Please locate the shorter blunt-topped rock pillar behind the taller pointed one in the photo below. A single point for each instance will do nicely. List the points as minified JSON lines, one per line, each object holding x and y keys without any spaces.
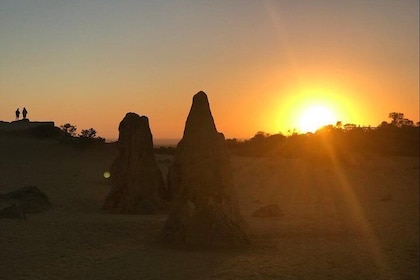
{"x":135,"y":177}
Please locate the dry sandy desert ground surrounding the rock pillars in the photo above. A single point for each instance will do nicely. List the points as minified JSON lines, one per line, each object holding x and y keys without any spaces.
{"x":353,"y":220}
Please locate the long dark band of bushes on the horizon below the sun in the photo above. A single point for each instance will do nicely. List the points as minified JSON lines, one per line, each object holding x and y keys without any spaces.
{"x":400,"y":137}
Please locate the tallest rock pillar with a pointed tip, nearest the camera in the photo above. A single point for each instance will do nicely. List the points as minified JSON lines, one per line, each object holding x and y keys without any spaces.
{"x":205,"y":212}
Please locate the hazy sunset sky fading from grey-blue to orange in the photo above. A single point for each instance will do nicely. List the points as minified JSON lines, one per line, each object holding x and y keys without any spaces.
{"x":89,"y":62}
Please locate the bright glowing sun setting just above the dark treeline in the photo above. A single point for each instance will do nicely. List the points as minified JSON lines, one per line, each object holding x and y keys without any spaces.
{"x":315,"y":117}
